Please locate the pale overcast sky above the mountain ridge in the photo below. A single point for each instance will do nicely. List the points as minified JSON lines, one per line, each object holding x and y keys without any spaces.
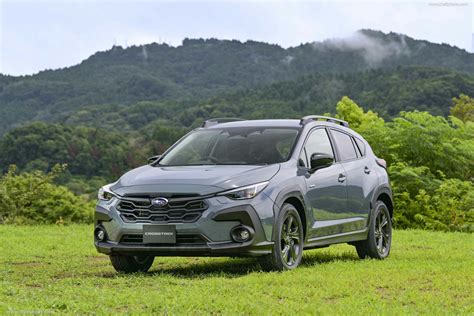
{"x":43,"y":34}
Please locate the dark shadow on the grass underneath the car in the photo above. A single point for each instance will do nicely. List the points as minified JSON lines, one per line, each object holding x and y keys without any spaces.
{"x":236,"y":267}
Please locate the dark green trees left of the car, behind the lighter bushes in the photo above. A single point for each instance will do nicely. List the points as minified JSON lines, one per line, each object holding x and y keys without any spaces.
{"x":87,"y":151}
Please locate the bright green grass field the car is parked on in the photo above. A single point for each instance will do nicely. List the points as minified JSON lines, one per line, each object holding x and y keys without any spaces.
{"x":47,"y":269}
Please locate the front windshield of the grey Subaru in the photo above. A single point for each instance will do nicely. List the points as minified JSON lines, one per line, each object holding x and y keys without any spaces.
{"x":232,"y":146}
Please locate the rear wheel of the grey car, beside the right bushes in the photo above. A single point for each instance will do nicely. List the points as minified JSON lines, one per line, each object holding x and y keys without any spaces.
{"x":379,"y":239}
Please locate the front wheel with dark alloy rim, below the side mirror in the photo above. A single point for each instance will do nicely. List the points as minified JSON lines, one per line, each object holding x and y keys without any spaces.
{"x":288,"y":248}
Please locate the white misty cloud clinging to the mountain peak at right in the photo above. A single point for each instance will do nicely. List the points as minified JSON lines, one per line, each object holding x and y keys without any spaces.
{"x":373,"y":49}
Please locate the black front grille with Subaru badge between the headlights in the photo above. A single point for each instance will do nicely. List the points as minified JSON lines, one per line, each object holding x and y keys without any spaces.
{"x":179,"y":210}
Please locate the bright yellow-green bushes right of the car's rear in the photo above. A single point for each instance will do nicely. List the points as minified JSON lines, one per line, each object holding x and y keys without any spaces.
{"x":431,"y":165}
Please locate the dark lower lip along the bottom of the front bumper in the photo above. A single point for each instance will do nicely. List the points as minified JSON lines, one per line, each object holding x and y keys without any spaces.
{"x":207,"y":250}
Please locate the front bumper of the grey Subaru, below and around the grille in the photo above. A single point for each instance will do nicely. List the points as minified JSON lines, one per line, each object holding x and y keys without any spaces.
{"x":213,"y":229}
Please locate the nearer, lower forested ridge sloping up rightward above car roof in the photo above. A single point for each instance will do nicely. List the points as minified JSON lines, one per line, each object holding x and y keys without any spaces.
{"x":386,"y":91}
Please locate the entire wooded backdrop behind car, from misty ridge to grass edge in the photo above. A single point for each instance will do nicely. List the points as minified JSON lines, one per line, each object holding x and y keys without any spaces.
{"x":65,"y":133}
